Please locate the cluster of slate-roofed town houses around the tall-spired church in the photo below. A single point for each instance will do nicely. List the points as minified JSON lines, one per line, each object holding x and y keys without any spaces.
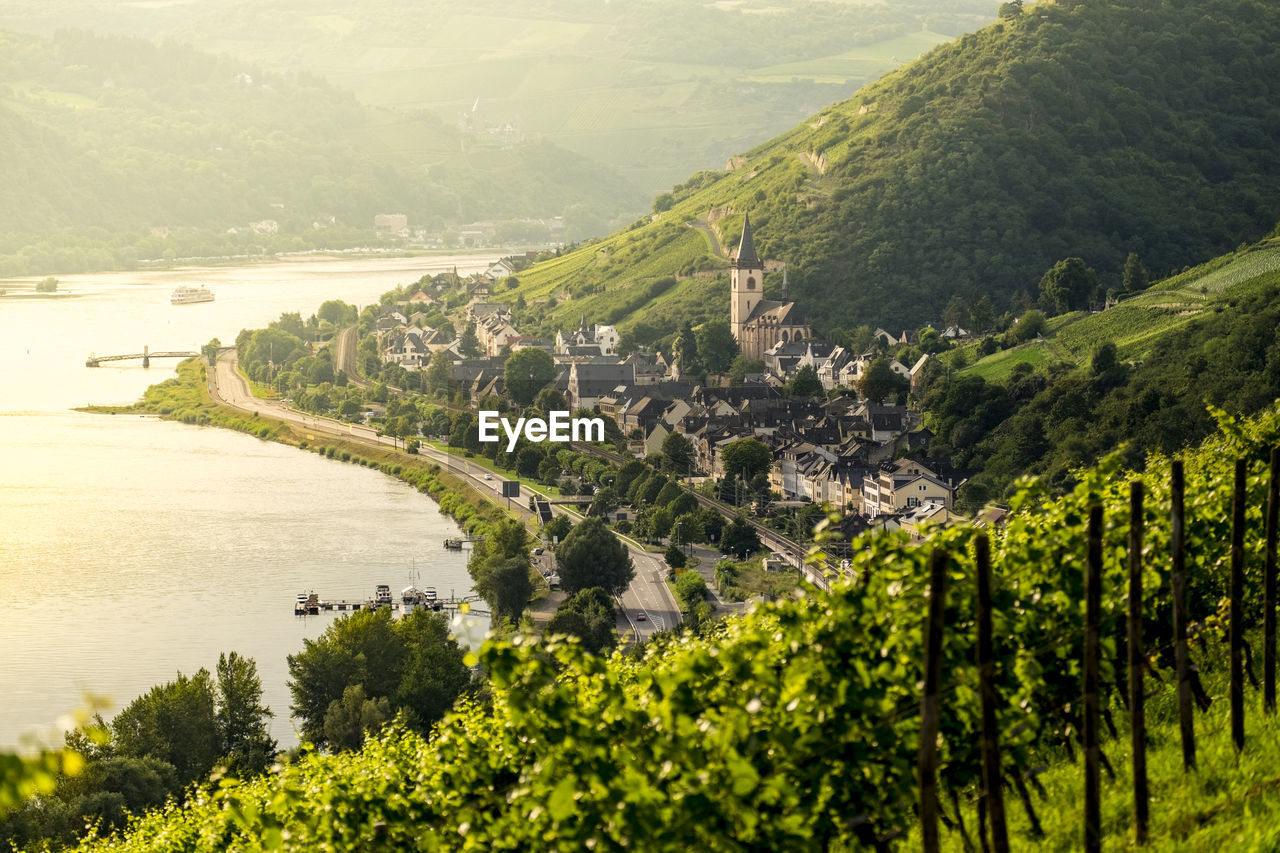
{"x":839,"y":425}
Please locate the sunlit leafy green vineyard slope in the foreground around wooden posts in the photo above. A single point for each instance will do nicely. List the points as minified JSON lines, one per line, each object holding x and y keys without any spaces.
{"x":797,"y":727}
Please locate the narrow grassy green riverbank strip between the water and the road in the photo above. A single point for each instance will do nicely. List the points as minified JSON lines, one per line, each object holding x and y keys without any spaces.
{"x":186,"y":399}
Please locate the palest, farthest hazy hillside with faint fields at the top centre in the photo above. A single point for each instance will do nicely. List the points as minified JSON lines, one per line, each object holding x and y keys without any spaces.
{"x":652,"y":89}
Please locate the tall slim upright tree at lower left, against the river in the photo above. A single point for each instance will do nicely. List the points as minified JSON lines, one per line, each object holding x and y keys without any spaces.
{"x":243,"y":719}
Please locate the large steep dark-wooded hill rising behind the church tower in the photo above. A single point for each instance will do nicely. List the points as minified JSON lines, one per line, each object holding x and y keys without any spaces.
{"x":1084,"y":129}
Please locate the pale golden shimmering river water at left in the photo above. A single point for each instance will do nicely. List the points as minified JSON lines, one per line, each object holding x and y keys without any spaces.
{"x":132,"y":549}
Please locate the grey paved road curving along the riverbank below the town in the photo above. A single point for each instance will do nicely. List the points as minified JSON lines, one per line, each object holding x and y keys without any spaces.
{"x":648,"y":604}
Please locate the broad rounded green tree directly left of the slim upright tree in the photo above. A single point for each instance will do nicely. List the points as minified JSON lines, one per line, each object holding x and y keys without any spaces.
{"x":176,"y":723}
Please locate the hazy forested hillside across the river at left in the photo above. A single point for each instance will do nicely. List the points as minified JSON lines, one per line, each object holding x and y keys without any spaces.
{"x":108,"y":139}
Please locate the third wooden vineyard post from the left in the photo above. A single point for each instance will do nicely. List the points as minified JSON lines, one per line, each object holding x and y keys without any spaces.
{"x":1092,"y":659}
